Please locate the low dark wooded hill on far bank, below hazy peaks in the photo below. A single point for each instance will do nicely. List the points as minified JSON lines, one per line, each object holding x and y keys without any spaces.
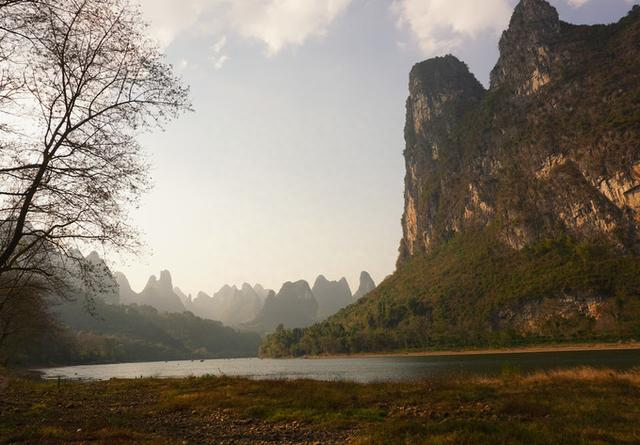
{"x":114,"y":333}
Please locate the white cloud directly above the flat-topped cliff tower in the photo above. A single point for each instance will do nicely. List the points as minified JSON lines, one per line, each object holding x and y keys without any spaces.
{"x":442,"y":25}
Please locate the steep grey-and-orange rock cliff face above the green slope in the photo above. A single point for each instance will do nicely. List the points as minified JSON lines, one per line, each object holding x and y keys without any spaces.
{"x":551,"y":148}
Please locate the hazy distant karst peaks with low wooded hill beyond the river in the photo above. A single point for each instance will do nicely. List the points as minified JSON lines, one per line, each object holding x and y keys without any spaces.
{"x":105,"y":320}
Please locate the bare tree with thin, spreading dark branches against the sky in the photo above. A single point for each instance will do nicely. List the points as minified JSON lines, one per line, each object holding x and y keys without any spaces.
{"x":70,"y":166}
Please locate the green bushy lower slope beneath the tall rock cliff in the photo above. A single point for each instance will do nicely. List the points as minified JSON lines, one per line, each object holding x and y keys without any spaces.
{"x":473,"y":291}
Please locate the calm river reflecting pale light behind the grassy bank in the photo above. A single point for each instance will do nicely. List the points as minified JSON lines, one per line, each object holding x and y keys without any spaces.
{"x":355,"y":369}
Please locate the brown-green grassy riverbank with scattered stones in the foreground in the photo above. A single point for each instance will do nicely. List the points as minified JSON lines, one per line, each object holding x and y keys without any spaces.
{"x":580,"y":406}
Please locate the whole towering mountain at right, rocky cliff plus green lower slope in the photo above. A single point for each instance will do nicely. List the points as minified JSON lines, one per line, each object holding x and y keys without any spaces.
{"x":522,"y":202}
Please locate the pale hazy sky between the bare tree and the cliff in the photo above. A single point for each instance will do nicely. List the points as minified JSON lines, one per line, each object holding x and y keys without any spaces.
{"x":291,"y":164}
